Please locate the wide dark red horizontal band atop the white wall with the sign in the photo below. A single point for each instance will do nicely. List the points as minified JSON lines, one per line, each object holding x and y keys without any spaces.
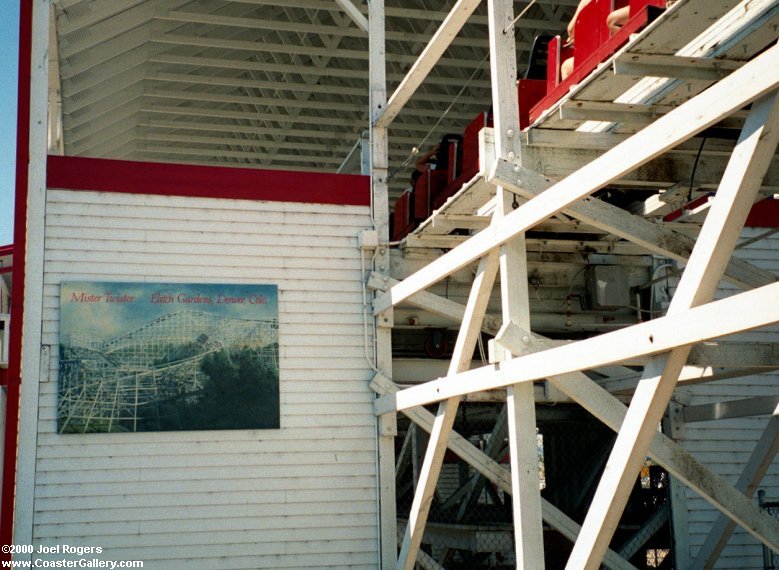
{"x":77,"y":173}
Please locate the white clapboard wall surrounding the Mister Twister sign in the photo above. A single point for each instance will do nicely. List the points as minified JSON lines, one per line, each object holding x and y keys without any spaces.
{"x":303,"y":496}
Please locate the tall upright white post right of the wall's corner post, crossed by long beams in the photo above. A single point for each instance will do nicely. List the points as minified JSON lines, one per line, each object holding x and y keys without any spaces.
{"x":515,"y":301}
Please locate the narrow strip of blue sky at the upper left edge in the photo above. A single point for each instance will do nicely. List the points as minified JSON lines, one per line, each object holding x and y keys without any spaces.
{"x":9,"y":34}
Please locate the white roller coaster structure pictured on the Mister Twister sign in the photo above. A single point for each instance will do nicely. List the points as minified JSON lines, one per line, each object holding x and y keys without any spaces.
{"x":104,"y":385}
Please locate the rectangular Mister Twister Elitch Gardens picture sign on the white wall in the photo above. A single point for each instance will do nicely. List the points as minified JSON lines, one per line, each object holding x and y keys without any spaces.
{"x":138,"y":357}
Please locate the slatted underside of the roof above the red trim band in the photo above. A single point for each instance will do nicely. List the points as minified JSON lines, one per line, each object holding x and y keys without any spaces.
{"x":262,"y":83}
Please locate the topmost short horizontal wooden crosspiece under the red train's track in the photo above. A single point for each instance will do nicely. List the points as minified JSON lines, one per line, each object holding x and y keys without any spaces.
{"x":674,"y":66}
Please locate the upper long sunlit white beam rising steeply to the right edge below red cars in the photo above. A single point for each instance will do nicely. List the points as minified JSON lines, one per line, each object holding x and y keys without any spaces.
{"x":759,"y":76}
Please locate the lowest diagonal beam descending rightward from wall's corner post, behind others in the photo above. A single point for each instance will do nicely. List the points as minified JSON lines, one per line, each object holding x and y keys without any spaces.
{"x":494,"y":472}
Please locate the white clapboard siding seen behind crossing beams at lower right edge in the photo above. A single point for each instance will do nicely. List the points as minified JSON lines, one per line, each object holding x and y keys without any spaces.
{"x":725,"y":445}
